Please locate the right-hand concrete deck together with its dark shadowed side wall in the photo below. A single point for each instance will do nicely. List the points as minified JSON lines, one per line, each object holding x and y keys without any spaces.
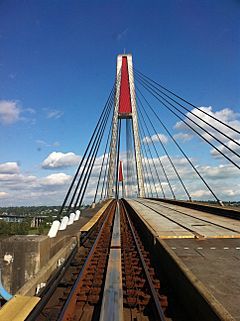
{"x":207,"y":266}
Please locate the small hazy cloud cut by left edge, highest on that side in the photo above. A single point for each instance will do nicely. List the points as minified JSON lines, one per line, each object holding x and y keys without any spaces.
{"x":9,"y":112}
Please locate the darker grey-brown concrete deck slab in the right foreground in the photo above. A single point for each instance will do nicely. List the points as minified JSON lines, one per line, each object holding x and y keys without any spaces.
{"x":216,"y":263}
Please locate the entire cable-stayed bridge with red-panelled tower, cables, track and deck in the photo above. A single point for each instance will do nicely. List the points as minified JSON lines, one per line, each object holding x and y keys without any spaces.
{"x":151,"y":250}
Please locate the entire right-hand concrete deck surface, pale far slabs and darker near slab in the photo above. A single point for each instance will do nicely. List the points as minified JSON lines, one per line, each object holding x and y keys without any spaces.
{"x":207,"y":245}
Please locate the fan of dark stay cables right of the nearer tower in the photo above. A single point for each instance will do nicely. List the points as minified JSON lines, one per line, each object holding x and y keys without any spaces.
{"x":209,"y":132}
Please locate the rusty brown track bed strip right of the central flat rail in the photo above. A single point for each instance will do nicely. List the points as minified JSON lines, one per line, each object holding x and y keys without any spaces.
{"x":142,"y":288}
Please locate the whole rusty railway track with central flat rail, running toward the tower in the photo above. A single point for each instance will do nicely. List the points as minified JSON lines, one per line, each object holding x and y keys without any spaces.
{"x":110,"y":277}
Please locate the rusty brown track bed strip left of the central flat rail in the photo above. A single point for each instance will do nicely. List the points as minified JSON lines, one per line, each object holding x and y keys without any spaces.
{"x":90,"y":281}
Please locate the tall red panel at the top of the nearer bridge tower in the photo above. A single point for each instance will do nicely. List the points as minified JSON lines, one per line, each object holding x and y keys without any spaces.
{"x":125,"y":100}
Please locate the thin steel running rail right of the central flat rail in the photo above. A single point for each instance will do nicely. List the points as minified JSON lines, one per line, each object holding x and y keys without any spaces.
{"x":159,"y":311}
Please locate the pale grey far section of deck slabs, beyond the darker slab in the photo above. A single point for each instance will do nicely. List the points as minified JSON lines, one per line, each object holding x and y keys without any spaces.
{"x":172,"y":221}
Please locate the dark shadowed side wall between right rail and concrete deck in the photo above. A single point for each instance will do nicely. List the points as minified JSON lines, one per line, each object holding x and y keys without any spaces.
{"x":197,"y":302}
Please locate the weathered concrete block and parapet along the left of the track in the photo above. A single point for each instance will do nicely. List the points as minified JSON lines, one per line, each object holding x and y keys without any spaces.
{"x":23,"y":257}
